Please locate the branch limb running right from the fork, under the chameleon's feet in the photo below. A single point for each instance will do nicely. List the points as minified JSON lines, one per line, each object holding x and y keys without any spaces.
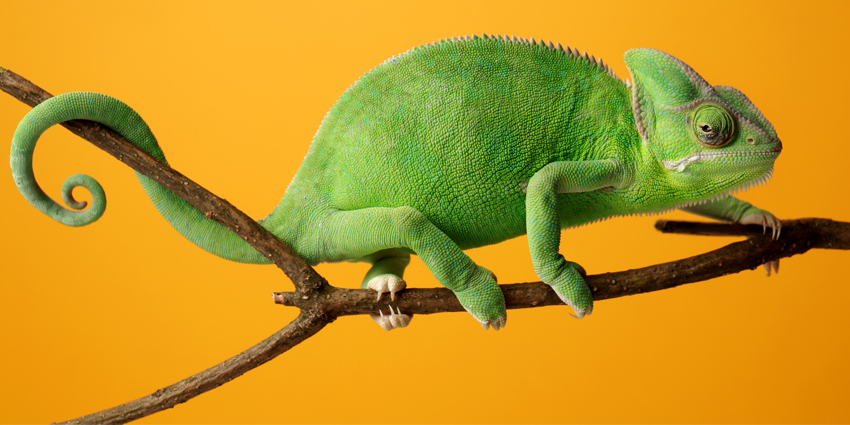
{"x":798,"y":236}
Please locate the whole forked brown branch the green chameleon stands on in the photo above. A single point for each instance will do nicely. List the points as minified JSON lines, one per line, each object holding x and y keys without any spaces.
{"x":321,"y":303}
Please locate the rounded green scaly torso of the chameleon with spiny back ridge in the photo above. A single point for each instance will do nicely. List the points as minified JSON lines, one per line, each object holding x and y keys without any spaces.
{"x":455,"y":130}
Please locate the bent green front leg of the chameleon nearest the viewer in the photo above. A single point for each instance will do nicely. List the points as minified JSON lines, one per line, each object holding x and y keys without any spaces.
{"x":543,"y":224}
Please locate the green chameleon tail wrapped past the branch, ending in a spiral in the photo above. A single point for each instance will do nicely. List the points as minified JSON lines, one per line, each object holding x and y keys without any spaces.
{"x":112,"y":113}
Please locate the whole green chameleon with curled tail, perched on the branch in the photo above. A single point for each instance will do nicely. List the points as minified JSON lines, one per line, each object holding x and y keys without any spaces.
{"x":469,"y":142}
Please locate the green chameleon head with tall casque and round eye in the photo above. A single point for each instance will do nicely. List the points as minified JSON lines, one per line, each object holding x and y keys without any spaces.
{"x":709,"y":139}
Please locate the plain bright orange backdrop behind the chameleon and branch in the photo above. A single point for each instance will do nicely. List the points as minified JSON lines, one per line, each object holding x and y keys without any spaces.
{"x":97,"y":316}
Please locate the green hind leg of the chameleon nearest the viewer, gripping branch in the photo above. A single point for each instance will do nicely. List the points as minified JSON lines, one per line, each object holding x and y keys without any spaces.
{"x":355,"y":234}
